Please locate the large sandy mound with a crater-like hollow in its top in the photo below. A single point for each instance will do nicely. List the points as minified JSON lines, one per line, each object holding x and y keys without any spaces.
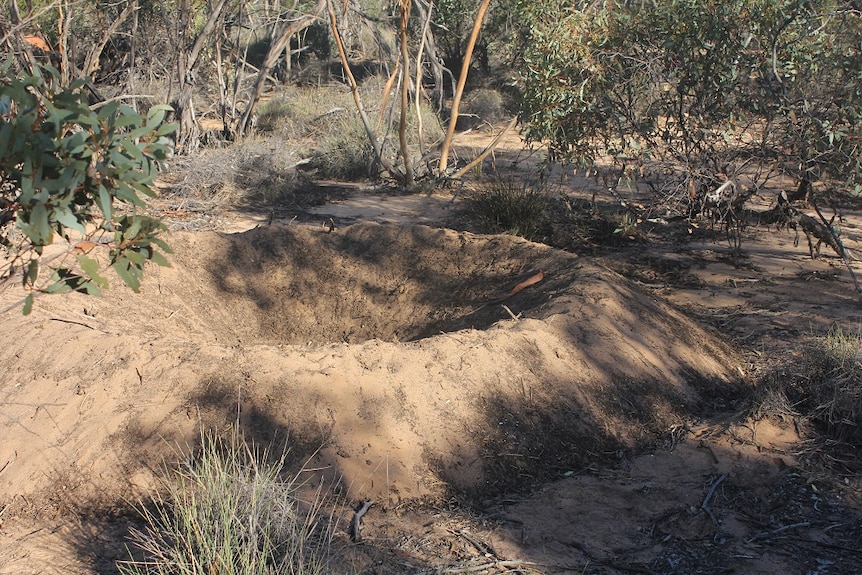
{"x":388,"y":347}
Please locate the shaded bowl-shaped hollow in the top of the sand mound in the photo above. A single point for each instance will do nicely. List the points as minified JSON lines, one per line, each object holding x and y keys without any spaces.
{"x":300,"y":285}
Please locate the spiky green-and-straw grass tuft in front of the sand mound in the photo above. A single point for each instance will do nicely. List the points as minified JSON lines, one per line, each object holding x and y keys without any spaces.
{"x":229,"y":510}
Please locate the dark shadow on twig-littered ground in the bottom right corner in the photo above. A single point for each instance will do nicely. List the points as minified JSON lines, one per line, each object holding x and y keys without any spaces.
{"x":706,"y":505}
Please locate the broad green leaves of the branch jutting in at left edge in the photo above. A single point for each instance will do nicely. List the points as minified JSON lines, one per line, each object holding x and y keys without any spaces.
{"x":81,"y":174}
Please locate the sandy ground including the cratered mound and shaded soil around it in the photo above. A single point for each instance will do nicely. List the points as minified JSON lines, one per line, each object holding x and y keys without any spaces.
{"x":592,"y":422}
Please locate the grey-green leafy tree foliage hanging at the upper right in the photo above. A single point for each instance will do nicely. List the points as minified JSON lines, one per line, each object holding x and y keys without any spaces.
{"x":691,"y":92}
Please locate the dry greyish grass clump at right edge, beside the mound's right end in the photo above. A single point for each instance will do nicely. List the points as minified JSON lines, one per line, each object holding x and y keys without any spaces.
{"x":823,"y":384}
